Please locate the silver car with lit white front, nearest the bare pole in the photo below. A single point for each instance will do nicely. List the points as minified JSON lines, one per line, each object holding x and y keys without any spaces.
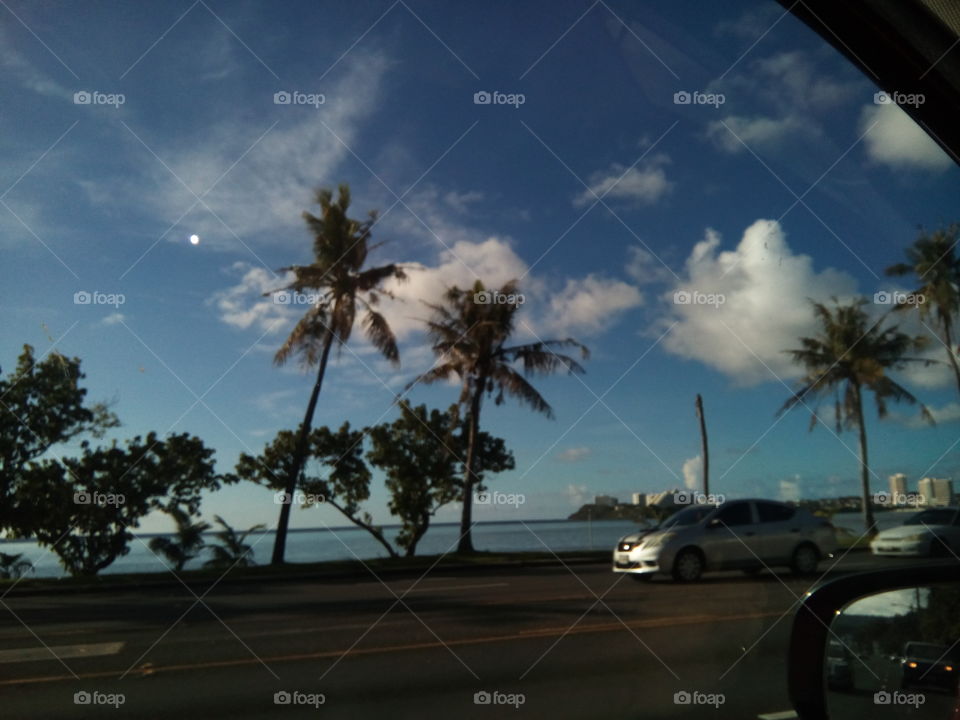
{"x":743,"y":535}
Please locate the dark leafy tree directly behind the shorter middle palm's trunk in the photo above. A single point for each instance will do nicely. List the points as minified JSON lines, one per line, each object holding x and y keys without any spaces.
{"x":423,"y":460}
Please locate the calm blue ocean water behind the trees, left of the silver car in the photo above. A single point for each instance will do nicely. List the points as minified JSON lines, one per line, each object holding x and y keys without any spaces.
{"x":350,"y":543}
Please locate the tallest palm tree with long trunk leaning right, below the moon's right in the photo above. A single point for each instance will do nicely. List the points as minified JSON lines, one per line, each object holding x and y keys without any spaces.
{"x":338,"y":277}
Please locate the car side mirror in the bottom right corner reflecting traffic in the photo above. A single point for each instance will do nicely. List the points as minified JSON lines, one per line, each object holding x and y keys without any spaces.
{"x":889,"y":637}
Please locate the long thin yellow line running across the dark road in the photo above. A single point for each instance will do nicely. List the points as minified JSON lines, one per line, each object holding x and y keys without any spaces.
{"x":299,"y":657}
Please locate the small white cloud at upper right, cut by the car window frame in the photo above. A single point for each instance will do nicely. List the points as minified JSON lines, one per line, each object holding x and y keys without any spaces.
{"x":897,"y":141}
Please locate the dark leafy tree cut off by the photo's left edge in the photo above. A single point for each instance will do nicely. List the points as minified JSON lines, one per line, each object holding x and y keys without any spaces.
{"x":42,"y":405}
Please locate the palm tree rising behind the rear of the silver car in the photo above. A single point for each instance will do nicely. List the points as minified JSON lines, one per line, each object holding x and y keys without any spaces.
{"x":850,"y":354}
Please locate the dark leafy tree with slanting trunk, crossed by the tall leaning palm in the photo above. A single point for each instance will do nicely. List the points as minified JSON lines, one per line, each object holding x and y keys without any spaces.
{"x":347,"y":481}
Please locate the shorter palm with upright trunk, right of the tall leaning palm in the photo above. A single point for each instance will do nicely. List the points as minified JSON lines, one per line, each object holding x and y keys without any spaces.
{"x":469,"y":332}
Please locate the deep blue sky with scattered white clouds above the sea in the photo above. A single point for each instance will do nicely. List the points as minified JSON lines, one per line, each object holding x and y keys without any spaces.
{"x":600,"y":192}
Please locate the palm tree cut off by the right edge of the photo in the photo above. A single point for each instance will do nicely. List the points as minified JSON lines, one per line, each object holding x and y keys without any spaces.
{"x":937,"y":267}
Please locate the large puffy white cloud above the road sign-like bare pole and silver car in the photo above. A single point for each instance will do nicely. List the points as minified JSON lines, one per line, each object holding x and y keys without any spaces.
{"x":765,"y":310}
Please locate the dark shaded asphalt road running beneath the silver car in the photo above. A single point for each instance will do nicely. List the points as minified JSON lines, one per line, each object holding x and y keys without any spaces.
{"x":557,"y":642}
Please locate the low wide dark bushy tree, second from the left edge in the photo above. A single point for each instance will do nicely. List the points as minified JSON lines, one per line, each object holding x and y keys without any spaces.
{"x":84,"y":508}
